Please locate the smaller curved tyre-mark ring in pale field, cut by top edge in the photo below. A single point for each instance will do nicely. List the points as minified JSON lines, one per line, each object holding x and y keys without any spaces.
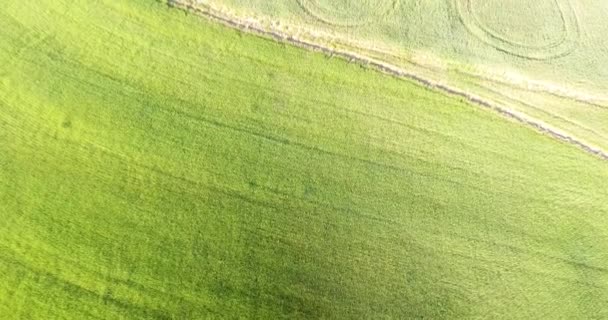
{"x":313,"y":9}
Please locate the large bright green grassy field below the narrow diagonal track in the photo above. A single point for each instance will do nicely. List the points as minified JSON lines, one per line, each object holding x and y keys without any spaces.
{"x":154,"y":165}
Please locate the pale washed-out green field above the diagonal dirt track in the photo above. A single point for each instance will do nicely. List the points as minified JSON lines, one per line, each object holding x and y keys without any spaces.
{"x":552,"y":52}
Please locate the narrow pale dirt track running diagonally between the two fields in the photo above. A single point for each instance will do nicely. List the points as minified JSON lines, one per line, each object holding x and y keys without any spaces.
{"x":393,"y":71}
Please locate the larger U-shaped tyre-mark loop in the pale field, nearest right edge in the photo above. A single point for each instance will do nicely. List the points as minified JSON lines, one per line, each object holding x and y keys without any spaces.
{"x":562,"y":46}
